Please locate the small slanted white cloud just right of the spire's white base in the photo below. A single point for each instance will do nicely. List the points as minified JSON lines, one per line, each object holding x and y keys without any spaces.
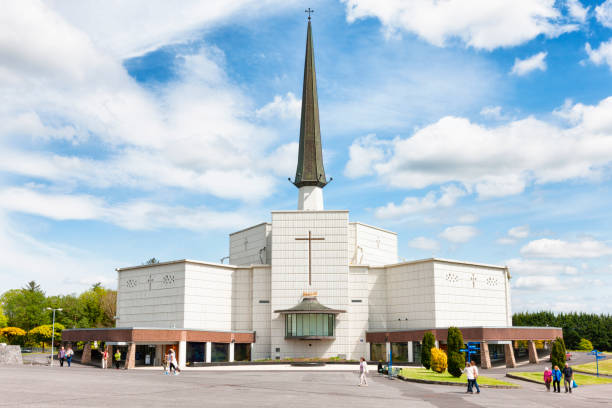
{"x":447,"y":197}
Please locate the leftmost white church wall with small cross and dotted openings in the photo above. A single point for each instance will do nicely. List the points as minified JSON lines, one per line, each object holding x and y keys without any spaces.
{"x":151,"y":296}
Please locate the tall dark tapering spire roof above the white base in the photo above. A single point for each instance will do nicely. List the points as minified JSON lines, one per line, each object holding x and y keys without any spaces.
{"x":310,"y":171}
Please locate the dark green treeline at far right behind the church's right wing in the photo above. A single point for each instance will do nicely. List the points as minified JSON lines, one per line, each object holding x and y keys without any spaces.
{"x":576,"y":326}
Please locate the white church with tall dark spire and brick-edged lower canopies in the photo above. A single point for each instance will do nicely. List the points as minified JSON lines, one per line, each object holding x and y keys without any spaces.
{"x":311,"y":282}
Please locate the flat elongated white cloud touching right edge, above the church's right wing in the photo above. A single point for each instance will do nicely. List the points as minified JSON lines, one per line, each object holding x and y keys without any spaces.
{"x":554,"y":248}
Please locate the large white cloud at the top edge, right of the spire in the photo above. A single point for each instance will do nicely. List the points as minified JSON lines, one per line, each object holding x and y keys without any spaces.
{"x":482,"y":24}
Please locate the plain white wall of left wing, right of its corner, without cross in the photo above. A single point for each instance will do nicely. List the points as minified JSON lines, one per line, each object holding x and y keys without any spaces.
{"x":208,"y":296}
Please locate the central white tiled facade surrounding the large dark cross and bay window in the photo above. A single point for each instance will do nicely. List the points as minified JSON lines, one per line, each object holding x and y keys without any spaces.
{"x":289,"y":276}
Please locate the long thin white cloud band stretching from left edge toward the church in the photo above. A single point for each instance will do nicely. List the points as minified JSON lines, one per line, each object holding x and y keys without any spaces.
{"x":136,"y":215}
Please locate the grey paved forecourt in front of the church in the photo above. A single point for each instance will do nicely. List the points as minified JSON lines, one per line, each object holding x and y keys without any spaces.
{"x":84,"y":386}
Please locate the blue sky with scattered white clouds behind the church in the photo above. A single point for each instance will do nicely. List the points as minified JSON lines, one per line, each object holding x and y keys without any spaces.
{"x":478,"y":130}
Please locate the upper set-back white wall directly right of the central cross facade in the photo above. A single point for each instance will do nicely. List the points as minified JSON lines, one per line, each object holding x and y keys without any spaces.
{"x":370,"y":245}
